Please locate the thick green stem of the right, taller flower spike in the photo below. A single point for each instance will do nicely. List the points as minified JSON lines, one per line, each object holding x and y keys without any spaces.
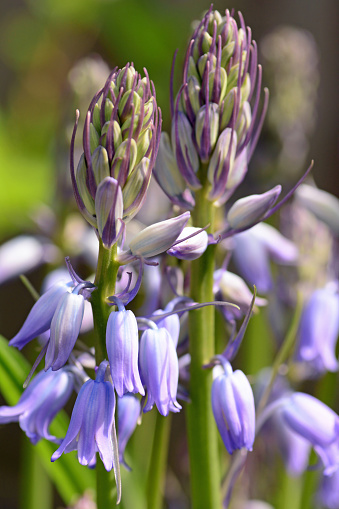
{"x":202,"y":431}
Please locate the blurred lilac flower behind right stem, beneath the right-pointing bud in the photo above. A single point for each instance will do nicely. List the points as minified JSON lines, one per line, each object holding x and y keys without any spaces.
{"x":253,"y":250}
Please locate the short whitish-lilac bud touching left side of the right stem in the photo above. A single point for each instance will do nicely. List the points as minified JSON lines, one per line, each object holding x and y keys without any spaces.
{"x":191,"y":244}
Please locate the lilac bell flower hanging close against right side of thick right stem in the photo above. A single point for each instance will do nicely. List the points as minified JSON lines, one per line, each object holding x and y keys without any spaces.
{"x":233,"y":409}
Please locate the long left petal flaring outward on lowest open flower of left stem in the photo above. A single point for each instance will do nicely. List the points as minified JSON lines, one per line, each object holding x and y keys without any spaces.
{"x":78,"y":414}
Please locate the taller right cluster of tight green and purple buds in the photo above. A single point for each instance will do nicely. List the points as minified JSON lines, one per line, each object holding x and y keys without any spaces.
{"x":215,"y":121}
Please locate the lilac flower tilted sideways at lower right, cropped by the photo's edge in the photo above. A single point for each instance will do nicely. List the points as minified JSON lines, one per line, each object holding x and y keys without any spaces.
{"x":315,"y":422}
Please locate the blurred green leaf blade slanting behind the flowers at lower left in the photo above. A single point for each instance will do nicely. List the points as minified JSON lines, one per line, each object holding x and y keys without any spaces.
{"x":70,"y":478}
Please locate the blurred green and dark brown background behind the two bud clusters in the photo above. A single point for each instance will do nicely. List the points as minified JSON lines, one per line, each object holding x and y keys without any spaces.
{"x":41,"y":41}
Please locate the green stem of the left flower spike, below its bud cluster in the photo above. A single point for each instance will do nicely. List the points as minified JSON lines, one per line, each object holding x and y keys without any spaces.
{"x":105,"y":280}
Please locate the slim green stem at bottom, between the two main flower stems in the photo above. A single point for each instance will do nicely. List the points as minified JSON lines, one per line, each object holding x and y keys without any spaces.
{"x":157,"y":469}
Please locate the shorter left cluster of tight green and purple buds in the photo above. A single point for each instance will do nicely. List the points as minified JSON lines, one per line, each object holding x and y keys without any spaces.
{"x":120,"y":143}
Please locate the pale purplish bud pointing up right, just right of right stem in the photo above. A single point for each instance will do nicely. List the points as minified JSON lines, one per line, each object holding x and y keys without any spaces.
{"x":251,"y":209}
